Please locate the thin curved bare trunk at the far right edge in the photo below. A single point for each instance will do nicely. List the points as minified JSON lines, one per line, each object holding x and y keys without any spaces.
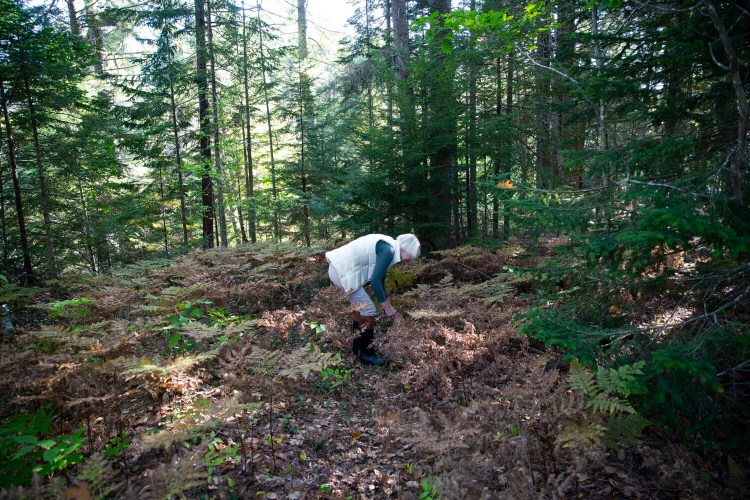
{"x":739,"y":89}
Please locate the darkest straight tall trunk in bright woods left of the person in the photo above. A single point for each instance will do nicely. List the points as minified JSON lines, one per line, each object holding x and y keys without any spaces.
{"x":207,"y":190}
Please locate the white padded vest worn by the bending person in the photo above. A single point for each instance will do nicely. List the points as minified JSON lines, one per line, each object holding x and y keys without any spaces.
{"x":355,"y":261}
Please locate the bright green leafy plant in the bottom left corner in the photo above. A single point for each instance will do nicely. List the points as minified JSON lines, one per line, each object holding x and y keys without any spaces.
{"x":26,"y":447}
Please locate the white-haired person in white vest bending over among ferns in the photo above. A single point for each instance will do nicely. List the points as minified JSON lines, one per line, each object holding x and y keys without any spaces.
{"x":364,"y":260}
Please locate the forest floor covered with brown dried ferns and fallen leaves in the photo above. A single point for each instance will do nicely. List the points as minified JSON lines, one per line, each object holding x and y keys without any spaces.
{"x":229,"y":373}
